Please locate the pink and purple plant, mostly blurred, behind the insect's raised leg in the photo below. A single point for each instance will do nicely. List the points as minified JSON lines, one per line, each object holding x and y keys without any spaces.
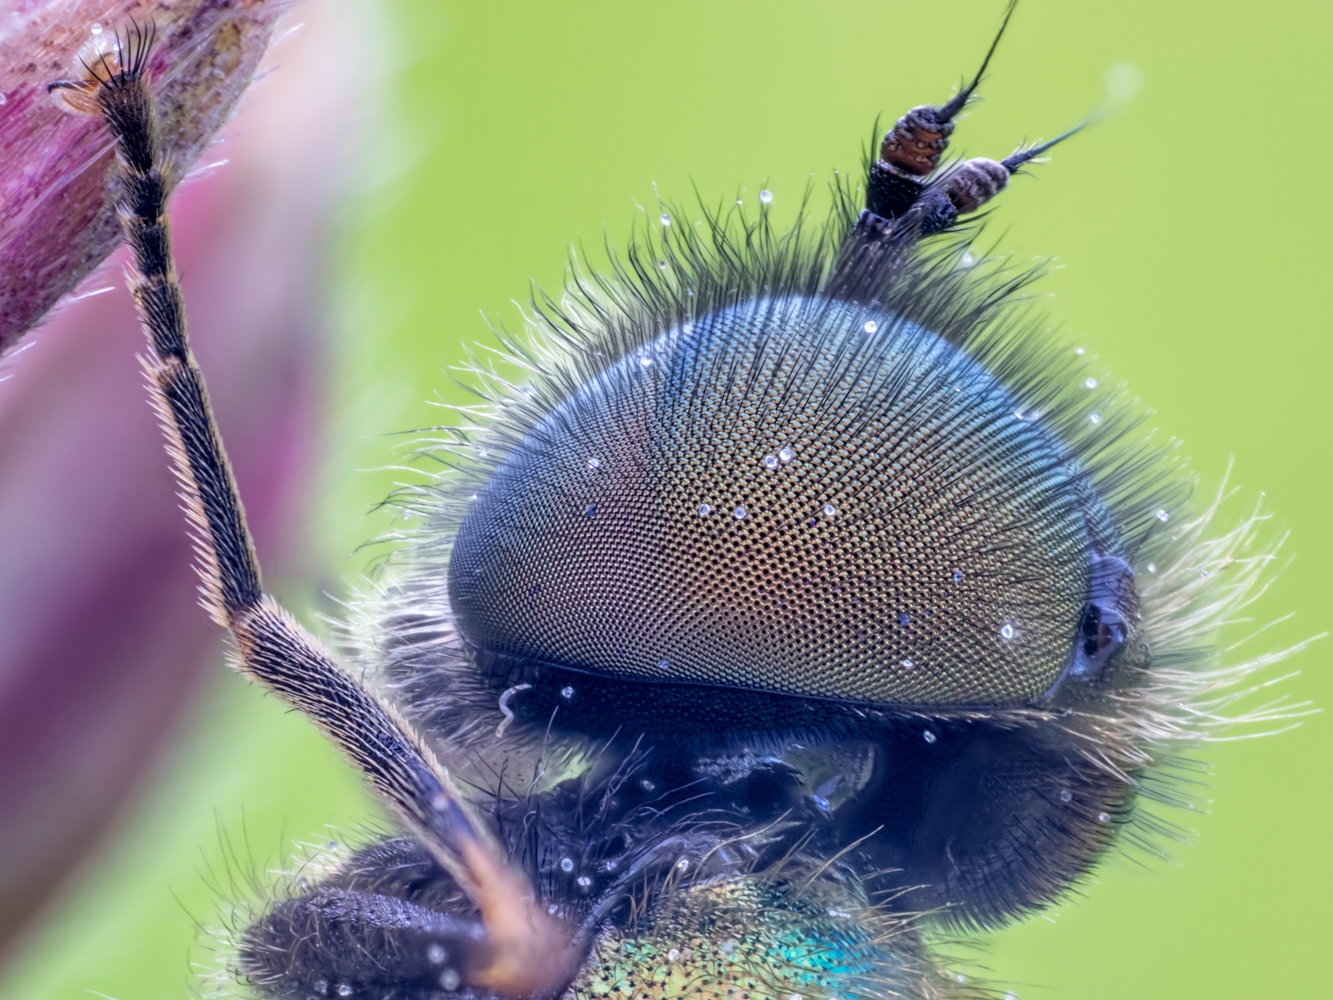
{"x":102,"y":642}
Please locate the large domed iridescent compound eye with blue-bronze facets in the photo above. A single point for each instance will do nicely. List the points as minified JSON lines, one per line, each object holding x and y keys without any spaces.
{"x":910,"y":534}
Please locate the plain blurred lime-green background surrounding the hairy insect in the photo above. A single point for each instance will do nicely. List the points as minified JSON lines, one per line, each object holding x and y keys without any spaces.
{"x":1191,"y":234}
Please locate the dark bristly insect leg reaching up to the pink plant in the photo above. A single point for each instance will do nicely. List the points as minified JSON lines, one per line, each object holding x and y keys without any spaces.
{"x":529,"y":955}
